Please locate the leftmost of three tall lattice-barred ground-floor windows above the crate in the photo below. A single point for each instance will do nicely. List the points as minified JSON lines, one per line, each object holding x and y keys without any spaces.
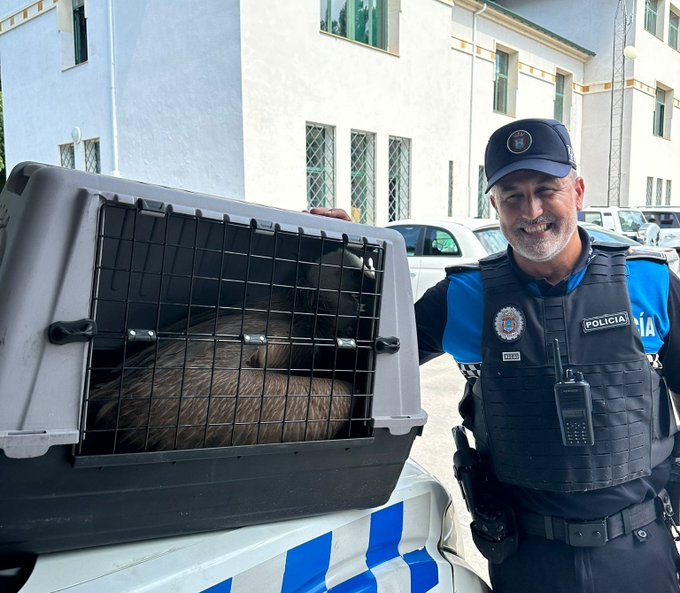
{"x":320,"y":166}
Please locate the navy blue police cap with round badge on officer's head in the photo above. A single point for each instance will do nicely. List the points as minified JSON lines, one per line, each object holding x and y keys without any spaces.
{"x":541,"y":145}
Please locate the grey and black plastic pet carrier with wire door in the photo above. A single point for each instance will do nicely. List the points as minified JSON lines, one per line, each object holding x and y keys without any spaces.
{"x":173,"y":363}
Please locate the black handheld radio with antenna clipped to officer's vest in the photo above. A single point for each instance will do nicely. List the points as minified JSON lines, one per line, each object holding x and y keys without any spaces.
{"x":574,"y":404}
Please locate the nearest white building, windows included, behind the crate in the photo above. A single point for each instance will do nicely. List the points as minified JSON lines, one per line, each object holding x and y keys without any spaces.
{"x":381,"y":107}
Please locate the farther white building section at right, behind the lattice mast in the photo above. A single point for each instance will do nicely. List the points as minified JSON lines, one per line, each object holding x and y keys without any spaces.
{"x":651,"y":102}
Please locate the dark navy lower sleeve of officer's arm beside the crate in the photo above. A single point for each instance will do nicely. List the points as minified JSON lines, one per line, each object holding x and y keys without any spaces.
{"x":431,"y":317}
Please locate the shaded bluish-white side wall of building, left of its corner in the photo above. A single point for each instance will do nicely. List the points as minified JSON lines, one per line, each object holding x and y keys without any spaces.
{"x":178,"y":92}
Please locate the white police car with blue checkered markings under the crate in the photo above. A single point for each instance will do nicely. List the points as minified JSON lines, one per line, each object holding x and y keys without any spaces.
{"x":408,"y":545}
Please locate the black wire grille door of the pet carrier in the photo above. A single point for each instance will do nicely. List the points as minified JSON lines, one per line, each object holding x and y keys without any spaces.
{"x":214,"y":334}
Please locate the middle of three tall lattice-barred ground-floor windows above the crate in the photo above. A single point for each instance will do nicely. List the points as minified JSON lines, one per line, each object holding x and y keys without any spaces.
{"x":362,"y":169}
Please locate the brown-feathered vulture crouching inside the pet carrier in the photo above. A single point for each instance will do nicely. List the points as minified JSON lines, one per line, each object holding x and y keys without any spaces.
{"x":277,"y":367}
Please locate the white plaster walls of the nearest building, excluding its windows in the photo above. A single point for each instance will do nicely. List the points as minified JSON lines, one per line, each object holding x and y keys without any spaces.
{"x":215,"y":97}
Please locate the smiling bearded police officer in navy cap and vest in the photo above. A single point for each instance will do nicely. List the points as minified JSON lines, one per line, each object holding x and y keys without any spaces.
{"x":571,"y":351}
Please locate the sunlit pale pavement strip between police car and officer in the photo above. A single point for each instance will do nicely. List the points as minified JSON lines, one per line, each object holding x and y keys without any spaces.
{"x":441,"y":385}
